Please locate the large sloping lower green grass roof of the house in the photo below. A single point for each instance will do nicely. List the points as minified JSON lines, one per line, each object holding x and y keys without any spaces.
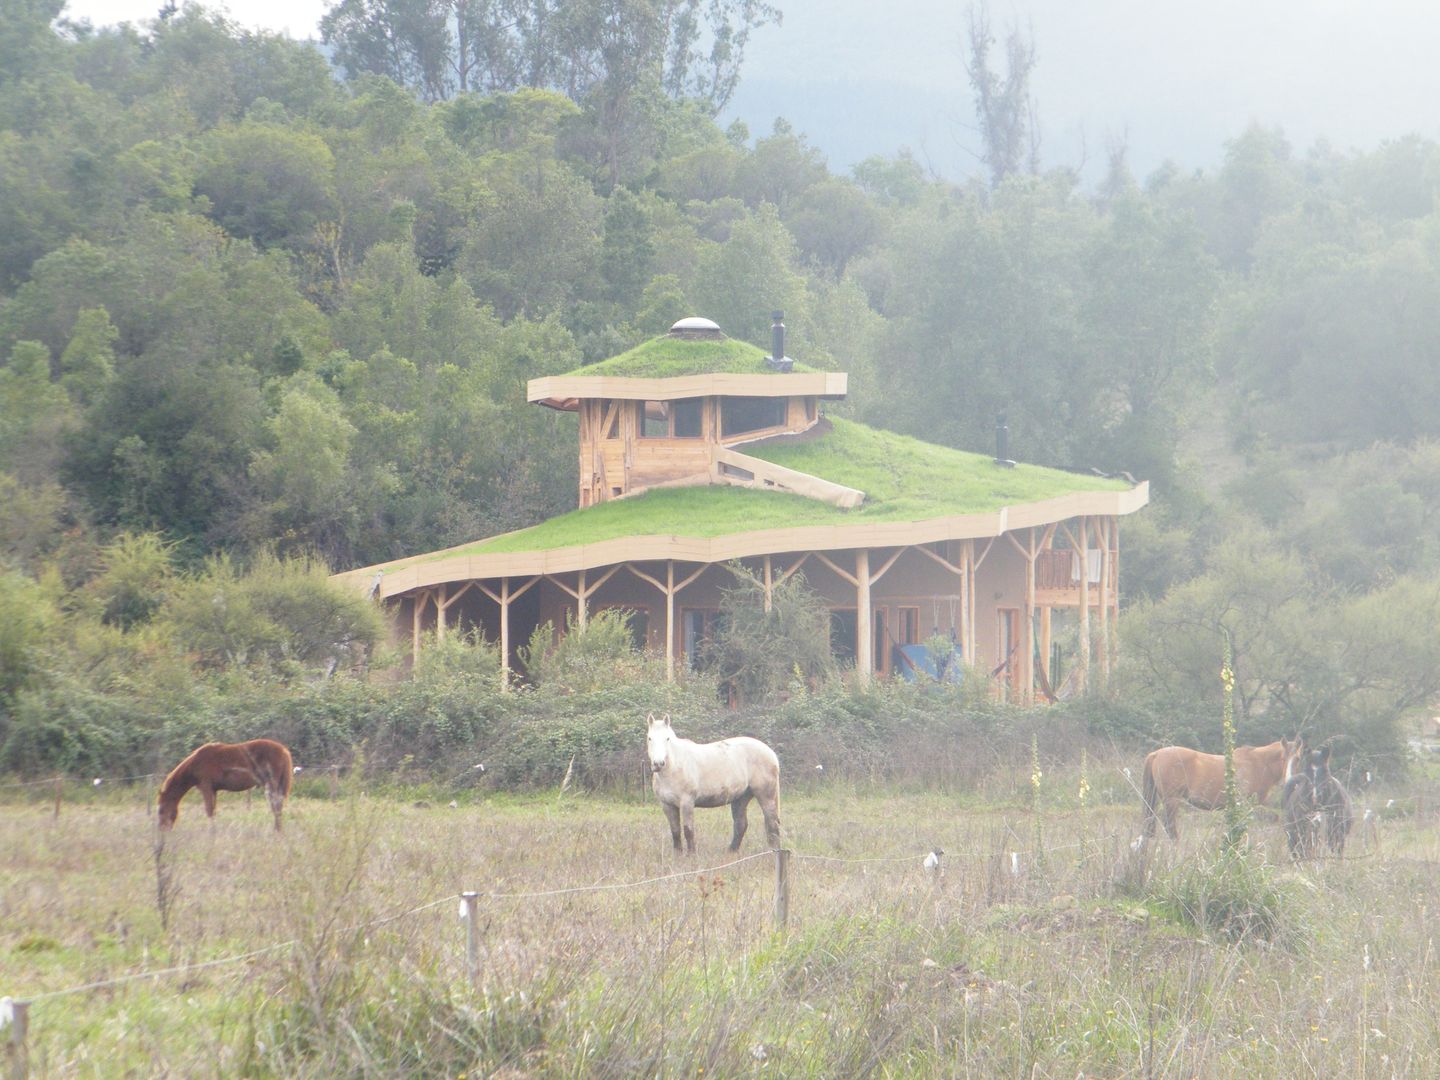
{"x":904,"y":479}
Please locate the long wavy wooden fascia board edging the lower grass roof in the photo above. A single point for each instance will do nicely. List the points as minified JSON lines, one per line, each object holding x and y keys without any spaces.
{"x":745,"y":545}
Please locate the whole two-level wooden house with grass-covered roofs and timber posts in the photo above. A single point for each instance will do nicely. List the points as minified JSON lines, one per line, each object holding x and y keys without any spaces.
{"x":698,"y":450}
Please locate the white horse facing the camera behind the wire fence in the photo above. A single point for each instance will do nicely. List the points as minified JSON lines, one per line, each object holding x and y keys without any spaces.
{"x":731,"y":773}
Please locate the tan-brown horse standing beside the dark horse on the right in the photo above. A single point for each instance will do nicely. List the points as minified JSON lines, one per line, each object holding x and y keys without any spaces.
{"x":1177,"y":774}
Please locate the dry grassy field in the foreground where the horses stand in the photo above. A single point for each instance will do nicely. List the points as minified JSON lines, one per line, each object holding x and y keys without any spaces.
{"x":1006,"y":966}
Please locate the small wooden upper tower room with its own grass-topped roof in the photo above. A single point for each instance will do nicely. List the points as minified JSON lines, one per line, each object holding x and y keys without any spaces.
{"x":675,"y":411}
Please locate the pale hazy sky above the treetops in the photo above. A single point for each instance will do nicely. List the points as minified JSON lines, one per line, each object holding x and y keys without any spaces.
{"x":1176,"y":81}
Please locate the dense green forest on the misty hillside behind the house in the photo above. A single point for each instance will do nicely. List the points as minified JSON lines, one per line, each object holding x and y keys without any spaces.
{"x":269,"y":309}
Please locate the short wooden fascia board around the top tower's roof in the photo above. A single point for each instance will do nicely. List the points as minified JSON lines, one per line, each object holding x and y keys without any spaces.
{"x":564,"y":391}
